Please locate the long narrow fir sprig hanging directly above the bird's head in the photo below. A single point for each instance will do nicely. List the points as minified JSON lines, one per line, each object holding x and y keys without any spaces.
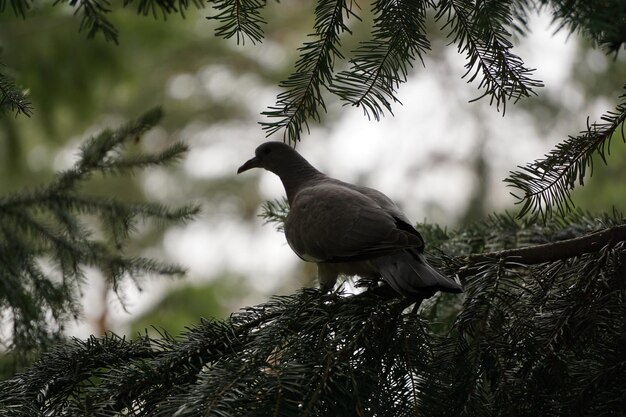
{"x":302,"y":97}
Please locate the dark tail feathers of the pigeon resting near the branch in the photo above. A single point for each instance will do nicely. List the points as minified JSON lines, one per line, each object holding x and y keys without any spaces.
{"x":409,"y":274}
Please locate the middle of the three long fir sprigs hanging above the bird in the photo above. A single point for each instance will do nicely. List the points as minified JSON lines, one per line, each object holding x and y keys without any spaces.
{"x":382,"y":64}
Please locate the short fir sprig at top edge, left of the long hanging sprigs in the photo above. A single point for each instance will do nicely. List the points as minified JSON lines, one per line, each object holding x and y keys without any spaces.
{"x":240,"y":18}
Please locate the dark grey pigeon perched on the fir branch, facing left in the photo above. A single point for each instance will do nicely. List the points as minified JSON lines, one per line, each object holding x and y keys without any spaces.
{"x":348,"y":229}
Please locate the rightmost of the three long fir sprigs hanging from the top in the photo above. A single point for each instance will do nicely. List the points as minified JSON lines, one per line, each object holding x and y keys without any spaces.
{"x":480,"y":31}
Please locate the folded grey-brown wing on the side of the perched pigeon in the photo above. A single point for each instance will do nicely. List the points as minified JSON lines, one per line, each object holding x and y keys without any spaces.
{"x":329,"y":222}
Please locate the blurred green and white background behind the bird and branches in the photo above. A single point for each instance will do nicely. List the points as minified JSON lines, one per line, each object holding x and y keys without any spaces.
{"x":441,"y":158}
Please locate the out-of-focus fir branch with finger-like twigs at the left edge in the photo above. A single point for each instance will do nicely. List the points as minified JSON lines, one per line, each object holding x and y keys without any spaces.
{"x":47,"y":236}
